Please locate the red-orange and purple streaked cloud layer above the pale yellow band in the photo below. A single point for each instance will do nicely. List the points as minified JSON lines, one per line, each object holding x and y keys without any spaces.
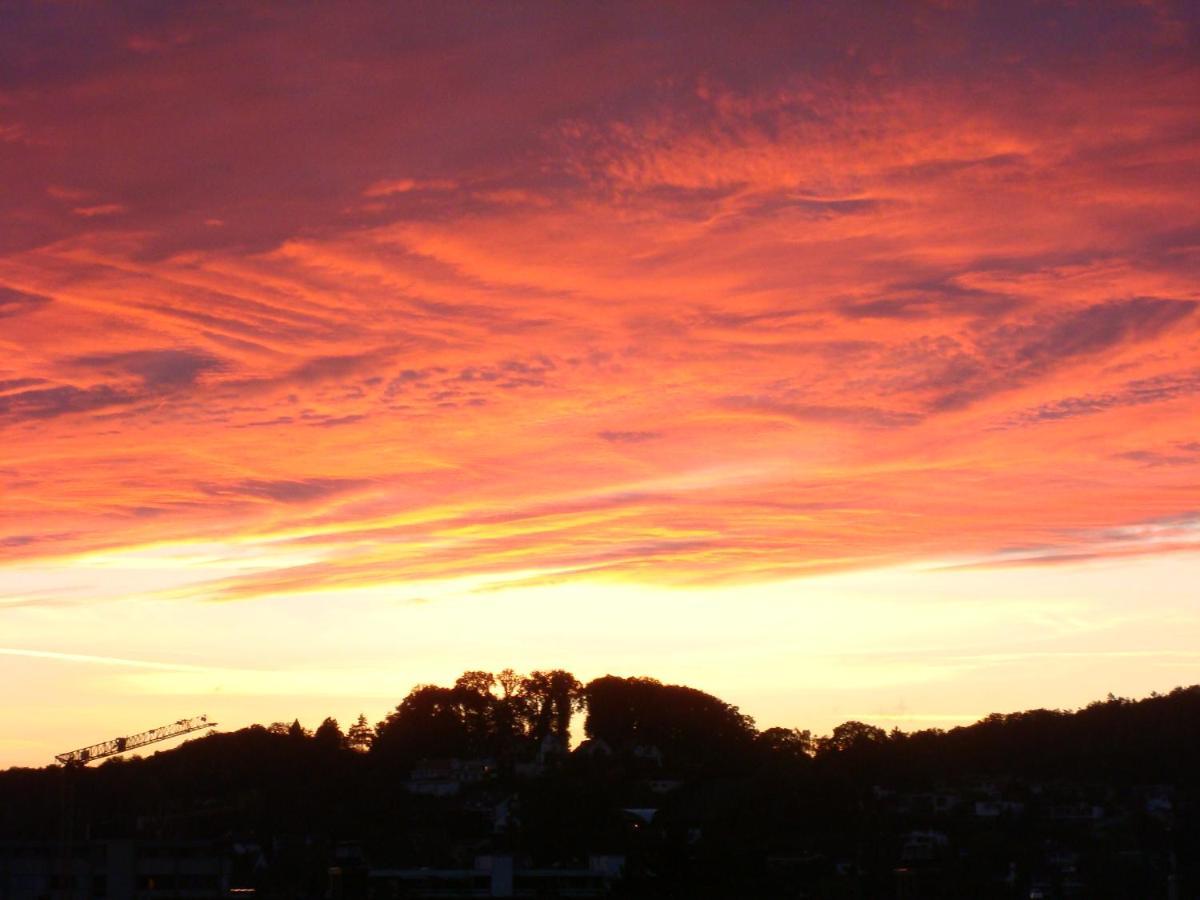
{"x":922,"y":287}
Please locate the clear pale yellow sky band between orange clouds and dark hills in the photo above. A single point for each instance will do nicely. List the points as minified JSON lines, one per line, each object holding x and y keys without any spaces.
{"x":909,"y":647}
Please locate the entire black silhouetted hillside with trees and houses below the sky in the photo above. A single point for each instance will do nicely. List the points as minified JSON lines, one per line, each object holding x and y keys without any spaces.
{"x":472,"y":791}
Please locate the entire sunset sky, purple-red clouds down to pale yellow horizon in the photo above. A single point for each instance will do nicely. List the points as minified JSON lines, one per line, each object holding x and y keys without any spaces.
{"x":843,"y":363}
